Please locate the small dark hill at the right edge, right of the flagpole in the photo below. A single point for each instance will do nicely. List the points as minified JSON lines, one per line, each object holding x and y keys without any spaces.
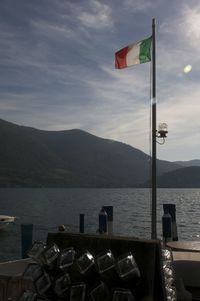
{"x":188,"y":177}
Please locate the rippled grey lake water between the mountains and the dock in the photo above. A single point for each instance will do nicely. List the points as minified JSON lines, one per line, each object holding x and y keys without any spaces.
{"x":48,"y":208}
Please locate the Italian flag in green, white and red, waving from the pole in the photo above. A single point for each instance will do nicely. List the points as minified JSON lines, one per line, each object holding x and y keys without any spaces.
{"x":133,"y":54}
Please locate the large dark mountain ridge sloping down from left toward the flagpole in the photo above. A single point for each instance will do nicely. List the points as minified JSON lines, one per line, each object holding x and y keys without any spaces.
{"x":73,"y":158}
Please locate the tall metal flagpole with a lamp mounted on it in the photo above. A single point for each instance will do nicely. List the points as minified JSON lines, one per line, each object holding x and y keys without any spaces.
{"x":153,"y":161}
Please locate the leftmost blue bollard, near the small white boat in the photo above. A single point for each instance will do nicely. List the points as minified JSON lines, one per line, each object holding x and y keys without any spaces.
{"x":26,"y":238}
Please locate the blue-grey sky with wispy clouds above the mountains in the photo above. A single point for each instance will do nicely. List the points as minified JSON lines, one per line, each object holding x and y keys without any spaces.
{"x":57,"y":69}
